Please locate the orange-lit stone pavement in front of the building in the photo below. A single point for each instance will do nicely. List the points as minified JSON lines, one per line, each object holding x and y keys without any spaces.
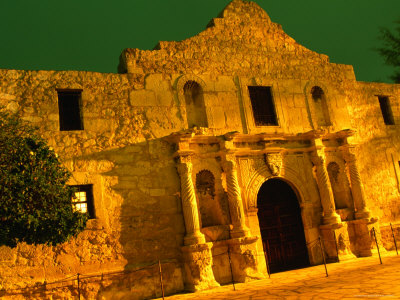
{"x":362,"y":278}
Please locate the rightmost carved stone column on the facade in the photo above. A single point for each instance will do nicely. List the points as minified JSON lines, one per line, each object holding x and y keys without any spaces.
{"x":357,"y":189}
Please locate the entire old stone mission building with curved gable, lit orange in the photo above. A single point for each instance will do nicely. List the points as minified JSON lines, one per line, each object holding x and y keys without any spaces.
{"x":218,"y":156}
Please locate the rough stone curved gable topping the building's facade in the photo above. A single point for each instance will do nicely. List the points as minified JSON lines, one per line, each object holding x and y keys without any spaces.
{"x":242,"y":40}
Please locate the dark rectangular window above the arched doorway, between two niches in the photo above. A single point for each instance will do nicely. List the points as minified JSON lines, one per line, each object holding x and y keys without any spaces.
{"x":263,"y":106}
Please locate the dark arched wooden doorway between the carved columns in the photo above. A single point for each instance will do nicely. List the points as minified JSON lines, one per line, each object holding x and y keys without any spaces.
{"x":281,"y":226}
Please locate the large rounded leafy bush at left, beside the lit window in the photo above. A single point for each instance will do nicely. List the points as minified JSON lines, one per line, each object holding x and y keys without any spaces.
{"x":35,"y":202}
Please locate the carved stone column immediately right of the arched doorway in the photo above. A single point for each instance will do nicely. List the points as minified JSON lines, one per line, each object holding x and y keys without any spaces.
{"x":325,"y":190}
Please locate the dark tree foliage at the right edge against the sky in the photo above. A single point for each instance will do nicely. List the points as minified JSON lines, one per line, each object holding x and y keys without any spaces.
{"x":390,"y":50}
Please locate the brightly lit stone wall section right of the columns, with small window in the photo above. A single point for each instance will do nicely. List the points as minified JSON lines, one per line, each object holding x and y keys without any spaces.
{"x":378,"y":145}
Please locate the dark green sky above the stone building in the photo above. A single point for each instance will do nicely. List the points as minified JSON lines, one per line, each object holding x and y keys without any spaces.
{"x":90,"y":34}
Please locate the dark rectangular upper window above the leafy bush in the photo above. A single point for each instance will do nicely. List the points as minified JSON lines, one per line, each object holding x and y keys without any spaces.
{"x":69,"y":107}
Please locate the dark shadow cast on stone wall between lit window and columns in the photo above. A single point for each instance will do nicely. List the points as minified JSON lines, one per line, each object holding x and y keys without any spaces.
{"x":142,"y":201}
